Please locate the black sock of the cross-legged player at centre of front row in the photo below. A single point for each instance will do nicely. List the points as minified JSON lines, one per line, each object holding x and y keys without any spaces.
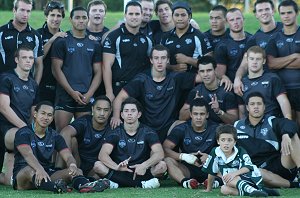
{"x":124,"y":179}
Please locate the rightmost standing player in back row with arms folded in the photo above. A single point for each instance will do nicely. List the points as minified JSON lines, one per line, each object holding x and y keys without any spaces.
{"x":283,"y":54}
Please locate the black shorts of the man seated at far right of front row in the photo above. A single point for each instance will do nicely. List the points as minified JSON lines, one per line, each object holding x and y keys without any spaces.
{"x":274,"y":165}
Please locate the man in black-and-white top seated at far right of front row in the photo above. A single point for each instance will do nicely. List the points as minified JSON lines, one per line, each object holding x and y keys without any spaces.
{"x":272,"y":143}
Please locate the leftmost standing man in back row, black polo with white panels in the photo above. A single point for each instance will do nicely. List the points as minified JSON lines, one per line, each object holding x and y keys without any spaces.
{"x":16,"y":33}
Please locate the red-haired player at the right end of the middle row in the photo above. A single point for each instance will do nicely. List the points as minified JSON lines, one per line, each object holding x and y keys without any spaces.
{"x":267,"y":83}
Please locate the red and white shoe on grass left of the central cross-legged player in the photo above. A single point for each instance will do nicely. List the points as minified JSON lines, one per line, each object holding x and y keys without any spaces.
{"x":96,"y":186}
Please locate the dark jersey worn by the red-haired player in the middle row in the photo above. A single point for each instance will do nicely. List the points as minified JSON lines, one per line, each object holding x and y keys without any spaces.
{"x":270,"y":86}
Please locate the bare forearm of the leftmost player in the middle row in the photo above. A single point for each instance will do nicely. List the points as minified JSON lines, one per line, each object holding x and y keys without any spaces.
{"x":8,"y":112}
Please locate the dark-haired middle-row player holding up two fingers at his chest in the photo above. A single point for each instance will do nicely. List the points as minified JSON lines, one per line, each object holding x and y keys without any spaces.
{"x":223,"y":104}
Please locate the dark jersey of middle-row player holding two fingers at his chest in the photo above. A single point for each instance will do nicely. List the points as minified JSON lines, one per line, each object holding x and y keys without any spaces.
{"x":226,"y":100}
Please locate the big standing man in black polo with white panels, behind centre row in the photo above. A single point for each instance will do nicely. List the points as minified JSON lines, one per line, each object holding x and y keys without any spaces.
{"x":125,"y":51}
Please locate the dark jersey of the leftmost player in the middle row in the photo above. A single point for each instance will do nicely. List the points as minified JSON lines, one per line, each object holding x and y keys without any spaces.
{"x":23,"y":94}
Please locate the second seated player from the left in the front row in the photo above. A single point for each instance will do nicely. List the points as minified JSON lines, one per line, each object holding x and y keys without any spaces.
{"x":86,"y":134}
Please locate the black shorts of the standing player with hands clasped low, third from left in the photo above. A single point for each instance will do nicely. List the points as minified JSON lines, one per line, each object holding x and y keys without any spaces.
{"x":64,"y":102}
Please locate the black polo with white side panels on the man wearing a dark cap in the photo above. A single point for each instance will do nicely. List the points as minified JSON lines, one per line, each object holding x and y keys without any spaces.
{"x":193,"y":43}
